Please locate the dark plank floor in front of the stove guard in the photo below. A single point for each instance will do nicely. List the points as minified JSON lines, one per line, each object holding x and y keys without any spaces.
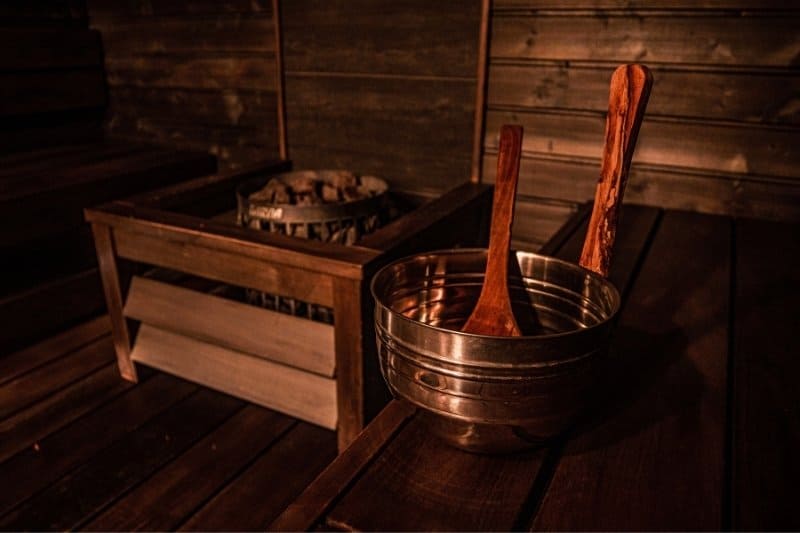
{"x":82,"y":449}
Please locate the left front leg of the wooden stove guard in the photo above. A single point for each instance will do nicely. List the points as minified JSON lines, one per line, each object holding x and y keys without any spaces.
{"x":109,"y":273}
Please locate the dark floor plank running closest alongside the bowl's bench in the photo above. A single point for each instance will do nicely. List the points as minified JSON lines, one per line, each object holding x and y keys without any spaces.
{"x":291,"y":464}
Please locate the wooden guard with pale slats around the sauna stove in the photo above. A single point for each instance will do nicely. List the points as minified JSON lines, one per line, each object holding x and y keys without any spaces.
{"x":181,"y":320}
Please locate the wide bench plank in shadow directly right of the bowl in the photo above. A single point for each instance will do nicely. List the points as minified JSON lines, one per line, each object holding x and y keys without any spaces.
{"x":666,"y":403}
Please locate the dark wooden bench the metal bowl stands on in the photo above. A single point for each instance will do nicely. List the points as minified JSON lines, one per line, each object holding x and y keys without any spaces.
{"x":699,"y":431}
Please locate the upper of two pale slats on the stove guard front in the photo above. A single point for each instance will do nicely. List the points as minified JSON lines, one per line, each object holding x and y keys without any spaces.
{"x":278,"y":337}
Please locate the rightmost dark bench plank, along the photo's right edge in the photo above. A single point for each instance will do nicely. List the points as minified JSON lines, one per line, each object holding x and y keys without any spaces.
{"x":766,"y":417}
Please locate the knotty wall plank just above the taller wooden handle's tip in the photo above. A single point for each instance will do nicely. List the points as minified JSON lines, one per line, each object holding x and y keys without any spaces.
{"x":721,"y":39}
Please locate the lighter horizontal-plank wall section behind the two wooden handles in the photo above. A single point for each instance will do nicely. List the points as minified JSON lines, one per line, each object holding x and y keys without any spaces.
{"x":721,"y":131}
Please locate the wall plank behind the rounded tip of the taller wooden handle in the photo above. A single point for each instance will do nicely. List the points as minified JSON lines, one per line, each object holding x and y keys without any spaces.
{"x":745,"y":95}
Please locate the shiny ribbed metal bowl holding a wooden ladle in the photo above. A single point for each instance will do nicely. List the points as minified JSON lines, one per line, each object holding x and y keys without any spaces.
{"x":485,"y":393}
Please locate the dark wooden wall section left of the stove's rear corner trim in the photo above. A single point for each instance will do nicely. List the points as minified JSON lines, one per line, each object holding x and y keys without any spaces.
{"x":195,"y":74}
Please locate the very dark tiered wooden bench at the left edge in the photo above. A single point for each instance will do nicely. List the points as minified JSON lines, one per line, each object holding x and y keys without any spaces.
{"x":54,"y":162}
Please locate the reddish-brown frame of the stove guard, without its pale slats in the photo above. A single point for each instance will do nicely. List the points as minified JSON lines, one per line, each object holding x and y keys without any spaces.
{"x":167,"y":228}
